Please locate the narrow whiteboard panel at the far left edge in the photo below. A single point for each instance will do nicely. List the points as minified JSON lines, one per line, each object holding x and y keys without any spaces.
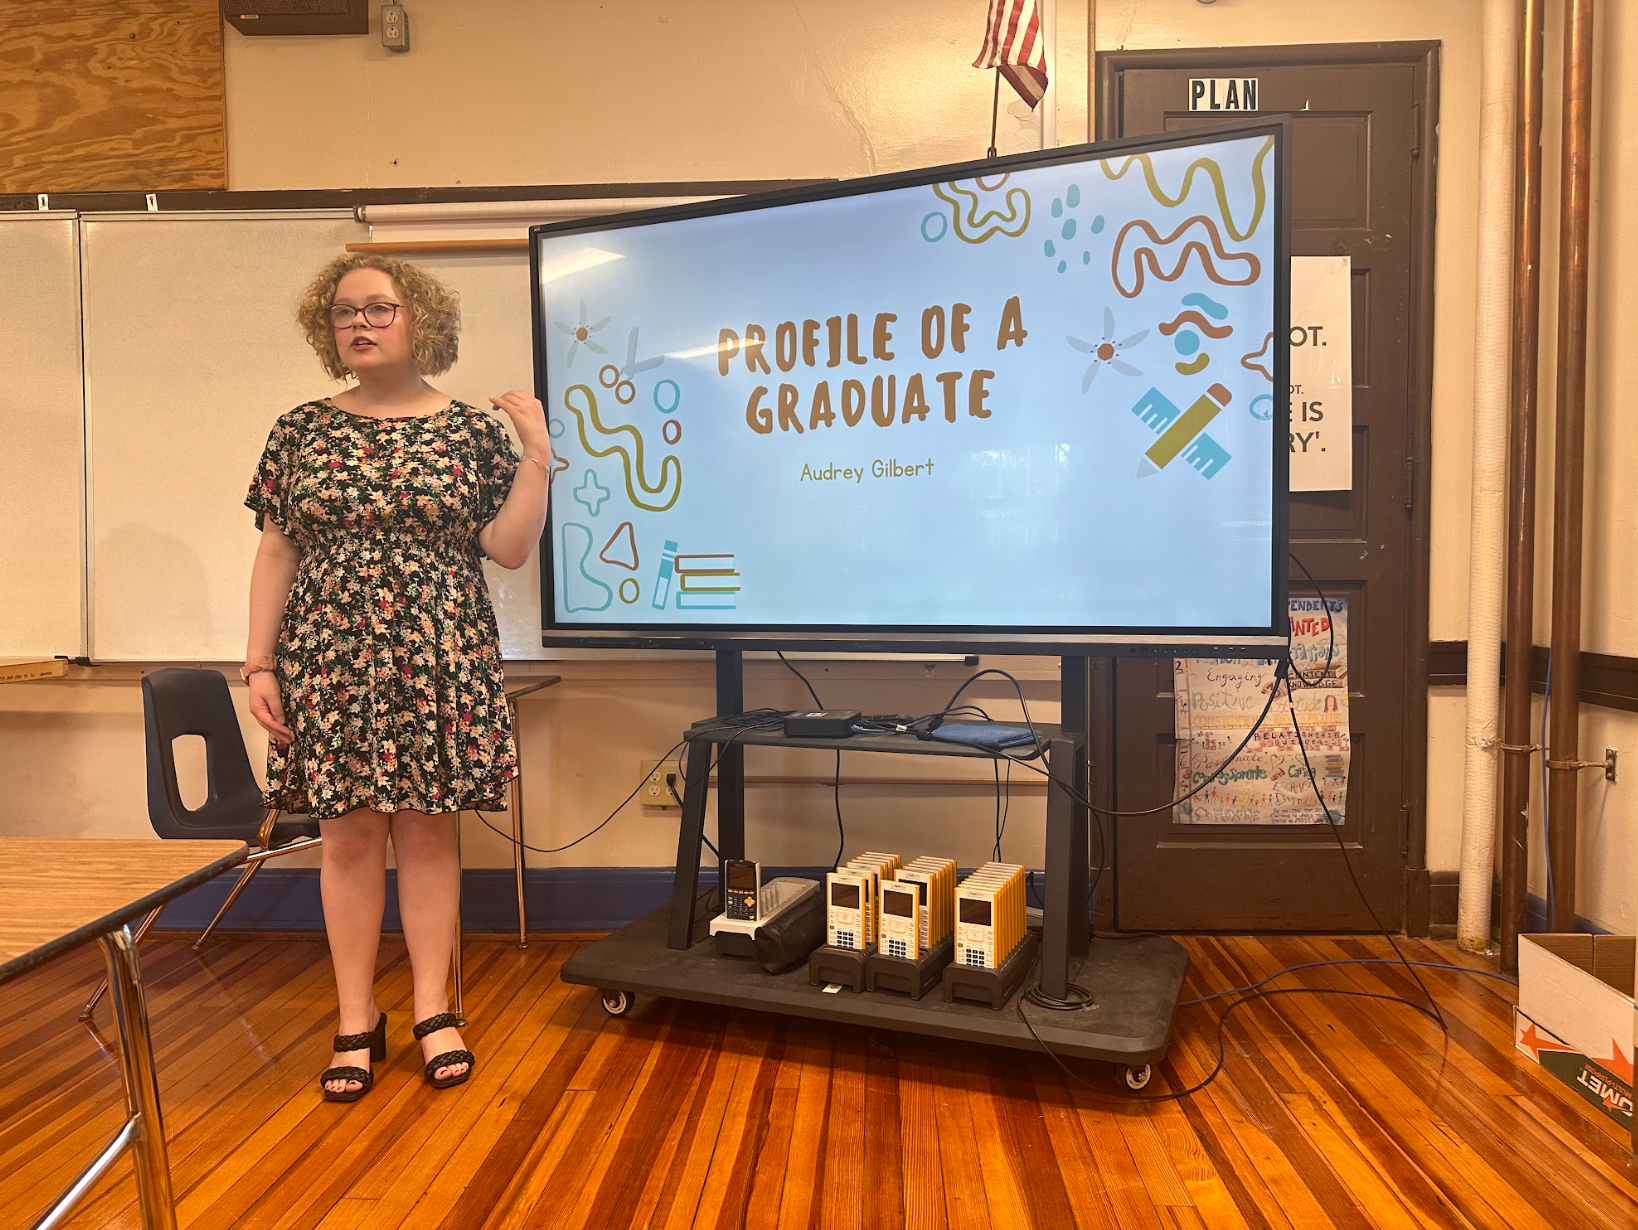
{"x":42,"y":448}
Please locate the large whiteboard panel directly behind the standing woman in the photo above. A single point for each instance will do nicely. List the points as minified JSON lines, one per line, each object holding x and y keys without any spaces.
{"x":191,"y":355}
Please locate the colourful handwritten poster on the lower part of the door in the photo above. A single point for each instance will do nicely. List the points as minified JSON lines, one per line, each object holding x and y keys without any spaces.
{"x":1218,"y":700}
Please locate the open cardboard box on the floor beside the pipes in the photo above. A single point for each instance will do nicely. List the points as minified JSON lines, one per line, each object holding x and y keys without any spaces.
{"x":1577,"y":1016}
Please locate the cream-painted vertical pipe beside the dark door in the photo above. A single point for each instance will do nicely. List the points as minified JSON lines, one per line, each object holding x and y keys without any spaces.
{"x":1490,"y":473}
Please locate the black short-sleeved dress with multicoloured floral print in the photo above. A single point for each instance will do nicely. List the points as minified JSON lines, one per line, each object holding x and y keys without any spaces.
{"x":389,"y":656}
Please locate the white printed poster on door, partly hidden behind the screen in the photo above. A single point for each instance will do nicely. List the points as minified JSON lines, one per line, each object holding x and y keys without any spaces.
{"x":1321,"y":374}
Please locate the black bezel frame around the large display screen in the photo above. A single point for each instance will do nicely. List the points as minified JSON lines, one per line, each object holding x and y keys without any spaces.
{"x":961,"y":638}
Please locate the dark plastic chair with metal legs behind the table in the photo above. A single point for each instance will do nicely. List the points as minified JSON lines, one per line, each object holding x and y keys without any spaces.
{"x":197,"y":703}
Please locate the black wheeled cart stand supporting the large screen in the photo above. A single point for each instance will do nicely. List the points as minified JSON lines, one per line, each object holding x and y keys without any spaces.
{"x":1134,"y":984}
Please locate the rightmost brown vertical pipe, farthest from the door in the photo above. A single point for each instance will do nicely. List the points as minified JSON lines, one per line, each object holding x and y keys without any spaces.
{"x":1570,"y":463}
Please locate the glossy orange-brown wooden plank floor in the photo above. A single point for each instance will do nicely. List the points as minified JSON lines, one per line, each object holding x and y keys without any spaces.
{"x":1331,"y":1111}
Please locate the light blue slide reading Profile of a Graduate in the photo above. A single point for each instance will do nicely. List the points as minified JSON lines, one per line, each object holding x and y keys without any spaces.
{"x":1036,"y":400}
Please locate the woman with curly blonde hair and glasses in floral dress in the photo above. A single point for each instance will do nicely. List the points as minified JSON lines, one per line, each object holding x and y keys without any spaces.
{"x":374,"y":661}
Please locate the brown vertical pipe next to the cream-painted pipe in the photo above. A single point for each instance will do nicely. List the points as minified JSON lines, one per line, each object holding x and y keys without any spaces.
{"x":1521,"y":481}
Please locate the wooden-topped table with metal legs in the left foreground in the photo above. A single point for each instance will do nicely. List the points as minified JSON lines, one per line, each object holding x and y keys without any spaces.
{"x":58,"y":895}
